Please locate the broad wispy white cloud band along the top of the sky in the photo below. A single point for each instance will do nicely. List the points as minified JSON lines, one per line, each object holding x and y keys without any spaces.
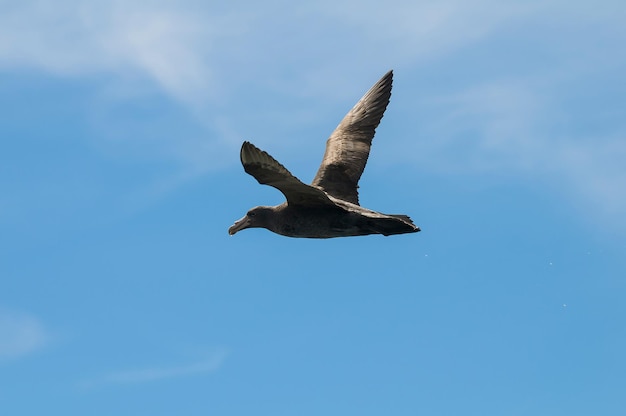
{"x":197,"y":53}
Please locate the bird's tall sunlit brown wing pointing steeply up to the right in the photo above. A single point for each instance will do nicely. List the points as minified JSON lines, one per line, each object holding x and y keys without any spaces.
{"x":348,"y":147}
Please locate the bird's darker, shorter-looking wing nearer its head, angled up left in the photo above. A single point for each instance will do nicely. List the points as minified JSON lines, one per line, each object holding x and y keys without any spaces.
{"x":267,"y":171}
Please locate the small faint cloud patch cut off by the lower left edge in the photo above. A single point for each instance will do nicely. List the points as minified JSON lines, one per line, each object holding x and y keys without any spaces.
{"x":20,"y":334}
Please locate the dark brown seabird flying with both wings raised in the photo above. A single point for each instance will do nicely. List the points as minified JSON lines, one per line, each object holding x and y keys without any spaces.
{"x":329,"y":207}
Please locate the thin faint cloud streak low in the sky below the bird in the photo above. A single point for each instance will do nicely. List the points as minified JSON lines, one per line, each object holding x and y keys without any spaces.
{"x":206,"y":365}
